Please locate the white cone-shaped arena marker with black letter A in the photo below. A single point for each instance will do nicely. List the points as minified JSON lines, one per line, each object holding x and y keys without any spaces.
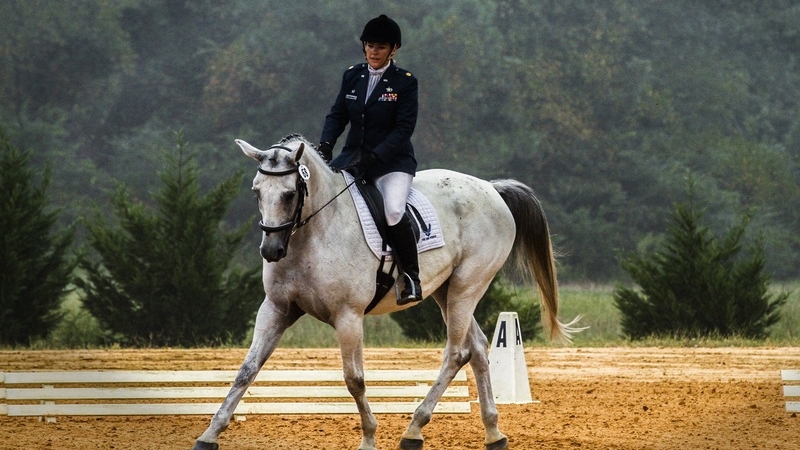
{"x":507,"y":368}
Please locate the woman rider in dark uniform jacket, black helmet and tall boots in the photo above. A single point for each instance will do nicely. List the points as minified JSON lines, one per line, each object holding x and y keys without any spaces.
{"x":379,"y":101}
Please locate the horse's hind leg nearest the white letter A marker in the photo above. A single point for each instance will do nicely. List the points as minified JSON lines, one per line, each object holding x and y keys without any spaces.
{"x":476,"y":340}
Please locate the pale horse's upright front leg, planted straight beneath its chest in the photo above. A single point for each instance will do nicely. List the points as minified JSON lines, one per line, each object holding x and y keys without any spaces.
{"x":350,"y":332}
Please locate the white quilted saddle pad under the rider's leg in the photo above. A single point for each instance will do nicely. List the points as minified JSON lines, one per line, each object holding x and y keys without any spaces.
{"x":430,"y":228}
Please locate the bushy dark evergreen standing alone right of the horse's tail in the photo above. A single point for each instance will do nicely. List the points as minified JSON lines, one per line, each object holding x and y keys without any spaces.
{"x":696,"y":284}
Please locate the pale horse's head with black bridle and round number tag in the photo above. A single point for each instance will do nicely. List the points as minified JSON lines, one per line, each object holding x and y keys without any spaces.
{"x":280,"y":187}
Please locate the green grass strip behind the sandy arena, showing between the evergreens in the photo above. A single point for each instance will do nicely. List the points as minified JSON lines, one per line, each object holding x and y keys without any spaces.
{"x":594,"y":303}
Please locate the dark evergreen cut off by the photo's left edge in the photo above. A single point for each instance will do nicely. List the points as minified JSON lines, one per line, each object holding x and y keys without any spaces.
{"x":35,"y":262}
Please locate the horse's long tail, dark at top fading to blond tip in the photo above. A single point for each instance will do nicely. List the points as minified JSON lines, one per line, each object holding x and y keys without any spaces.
{"x":533,"y":251}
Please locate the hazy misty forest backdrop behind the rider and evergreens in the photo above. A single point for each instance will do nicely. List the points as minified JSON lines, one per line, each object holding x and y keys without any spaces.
{"x":604,"y":108}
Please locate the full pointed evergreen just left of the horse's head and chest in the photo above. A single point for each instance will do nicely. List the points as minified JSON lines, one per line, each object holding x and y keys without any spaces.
{"x":166,"y":277}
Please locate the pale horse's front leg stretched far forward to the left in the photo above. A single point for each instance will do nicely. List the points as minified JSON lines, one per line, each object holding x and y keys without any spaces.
{"x":269,"y":327}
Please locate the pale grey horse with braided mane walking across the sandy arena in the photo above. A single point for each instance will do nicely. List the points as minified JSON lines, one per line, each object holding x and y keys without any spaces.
{"x":329,"y":273}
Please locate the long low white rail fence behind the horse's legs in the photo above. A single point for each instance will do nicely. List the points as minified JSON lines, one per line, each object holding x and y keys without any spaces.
{"x":101,"y":393}
